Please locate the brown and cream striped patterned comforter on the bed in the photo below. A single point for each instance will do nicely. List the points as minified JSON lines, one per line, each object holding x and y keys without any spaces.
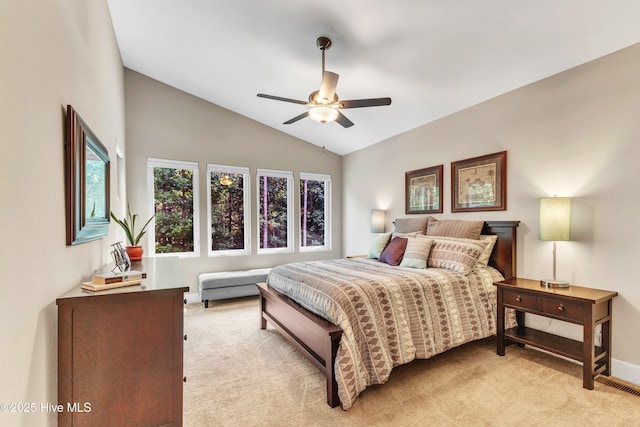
{"x":390,"y":315}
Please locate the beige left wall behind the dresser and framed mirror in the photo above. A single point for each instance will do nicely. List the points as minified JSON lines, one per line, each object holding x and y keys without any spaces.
{"x":53,"y":53}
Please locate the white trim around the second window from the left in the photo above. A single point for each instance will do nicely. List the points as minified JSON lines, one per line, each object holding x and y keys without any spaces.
{"x":246,"y":189}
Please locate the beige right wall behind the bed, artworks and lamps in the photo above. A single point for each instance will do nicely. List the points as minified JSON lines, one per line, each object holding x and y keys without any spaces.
{"x":574,"y":134}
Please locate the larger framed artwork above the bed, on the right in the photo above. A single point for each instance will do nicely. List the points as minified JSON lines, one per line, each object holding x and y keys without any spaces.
{"x":479,"y":183}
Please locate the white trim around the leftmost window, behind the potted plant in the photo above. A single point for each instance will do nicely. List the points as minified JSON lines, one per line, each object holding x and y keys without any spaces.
{"x":151,"y":230}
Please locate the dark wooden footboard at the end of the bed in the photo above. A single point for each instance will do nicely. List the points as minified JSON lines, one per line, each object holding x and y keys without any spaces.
{"x":314,"y":336}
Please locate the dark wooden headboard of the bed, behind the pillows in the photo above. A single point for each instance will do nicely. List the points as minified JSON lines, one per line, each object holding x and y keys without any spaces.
{"x":503,"y":257}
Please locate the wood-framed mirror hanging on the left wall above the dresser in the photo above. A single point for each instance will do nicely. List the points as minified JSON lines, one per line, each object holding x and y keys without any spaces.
{"x":87,"y":182}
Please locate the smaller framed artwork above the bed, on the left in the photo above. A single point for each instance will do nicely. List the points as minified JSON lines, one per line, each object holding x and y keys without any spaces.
{"x":423,"y":190}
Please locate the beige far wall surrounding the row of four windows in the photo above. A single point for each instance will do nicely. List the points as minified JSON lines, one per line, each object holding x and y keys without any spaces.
{"x":163,"y":122}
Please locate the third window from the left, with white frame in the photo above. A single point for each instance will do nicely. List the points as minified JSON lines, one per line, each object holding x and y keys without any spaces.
{"x":274,"y":208}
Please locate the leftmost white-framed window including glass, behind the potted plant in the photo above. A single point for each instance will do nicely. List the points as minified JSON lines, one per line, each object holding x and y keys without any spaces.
{"x":173,"y":198}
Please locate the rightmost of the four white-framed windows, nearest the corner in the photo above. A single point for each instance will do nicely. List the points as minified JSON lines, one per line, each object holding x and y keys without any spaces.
{"x":315,"y":206}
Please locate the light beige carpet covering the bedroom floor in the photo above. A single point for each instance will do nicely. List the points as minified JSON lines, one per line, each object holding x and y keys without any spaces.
{"x":239,"y":375}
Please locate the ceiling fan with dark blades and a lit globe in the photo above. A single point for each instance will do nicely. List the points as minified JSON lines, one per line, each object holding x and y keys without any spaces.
{"x":324,"y":103}
